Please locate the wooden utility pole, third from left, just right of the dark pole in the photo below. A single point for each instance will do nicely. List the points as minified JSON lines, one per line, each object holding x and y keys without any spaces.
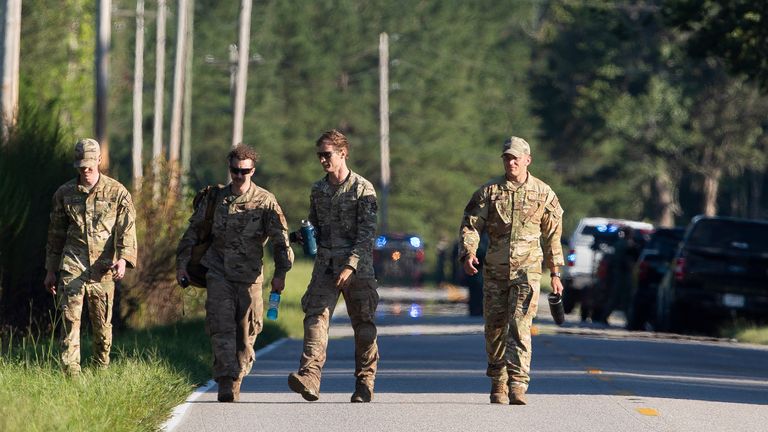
{"x":138,"y":84}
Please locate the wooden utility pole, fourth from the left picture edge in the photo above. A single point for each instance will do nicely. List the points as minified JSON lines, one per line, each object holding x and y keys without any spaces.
{"x":157,"y":131}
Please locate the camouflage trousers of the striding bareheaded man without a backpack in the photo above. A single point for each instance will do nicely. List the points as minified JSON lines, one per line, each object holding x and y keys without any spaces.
{"x":318,"y":304}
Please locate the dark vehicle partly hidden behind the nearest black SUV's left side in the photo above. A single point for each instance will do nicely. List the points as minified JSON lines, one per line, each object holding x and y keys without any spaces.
{"x":650,"y":268}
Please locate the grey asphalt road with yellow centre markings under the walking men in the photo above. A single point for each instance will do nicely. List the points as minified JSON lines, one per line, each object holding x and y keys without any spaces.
{"x":431,"y":378}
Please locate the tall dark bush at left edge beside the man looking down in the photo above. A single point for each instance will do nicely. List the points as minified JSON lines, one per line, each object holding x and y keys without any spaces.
{"x":34,"y":162}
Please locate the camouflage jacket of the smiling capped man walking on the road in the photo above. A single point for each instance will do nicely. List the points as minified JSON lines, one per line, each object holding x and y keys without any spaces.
{"x":518,"y":222}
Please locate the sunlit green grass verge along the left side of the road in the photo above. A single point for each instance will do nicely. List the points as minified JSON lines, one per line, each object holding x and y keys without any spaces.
{"x":152,"y":371}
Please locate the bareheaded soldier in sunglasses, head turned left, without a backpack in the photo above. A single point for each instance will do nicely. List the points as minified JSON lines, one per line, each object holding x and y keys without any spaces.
{"x":342,"y":207}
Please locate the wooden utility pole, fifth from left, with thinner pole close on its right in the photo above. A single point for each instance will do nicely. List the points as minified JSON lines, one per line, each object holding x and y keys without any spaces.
{"x":178,"y":97}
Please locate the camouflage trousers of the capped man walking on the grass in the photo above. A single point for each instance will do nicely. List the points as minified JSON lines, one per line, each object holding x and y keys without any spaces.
{"x":73,"y":291}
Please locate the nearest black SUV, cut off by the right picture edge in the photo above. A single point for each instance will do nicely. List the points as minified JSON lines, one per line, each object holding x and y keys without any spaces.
{"x":720,"y":271}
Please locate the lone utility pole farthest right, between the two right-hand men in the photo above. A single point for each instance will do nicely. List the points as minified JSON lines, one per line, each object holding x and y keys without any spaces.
{"x":384,"y":126}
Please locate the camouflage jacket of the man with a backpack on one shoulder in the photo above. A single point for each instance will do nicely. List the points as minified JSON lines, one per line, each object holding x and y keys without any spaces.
{"x":241,"y":227}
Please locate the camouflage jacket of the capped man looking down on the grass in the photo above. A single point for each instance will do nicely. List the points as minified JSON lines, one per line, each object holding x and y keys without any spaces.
{"x":90,"y":230}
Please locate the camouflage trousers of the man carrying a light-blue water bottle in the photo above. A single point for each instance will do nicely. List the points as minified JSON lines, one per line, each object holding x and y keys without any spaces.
{"x":233,"y":319}
